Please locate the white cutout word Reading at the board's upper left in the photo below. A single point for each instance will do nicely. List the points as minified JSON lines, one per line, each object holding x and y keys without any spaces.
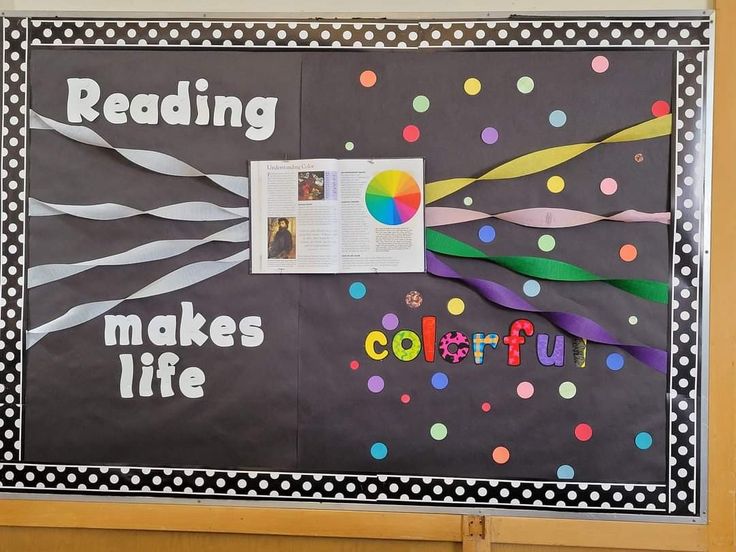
{"x":175,"y":109}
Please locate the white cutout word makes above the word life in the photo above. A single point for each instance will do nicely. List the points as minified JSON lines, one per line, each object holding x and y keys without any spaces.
{"x":166,"y":329}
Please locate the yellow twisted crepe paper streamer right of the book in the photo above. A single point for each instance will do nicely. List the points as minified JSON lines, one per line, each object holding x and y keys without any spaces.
{"x":541,"y":160}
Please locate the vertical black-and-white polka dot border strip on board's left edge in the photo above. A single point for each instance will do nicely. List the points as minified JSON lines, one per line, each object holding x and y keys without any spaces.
{"x":15,"y":41}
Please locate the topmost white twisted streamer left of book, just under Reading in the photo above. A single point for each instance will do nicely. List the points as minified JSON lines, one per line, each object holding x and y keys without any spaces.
{"x":152,"y":160}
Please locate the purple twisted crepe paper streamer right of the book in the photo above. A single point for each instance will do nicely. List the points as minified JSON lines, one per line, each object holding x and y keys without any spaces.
{"x":574,"y":324}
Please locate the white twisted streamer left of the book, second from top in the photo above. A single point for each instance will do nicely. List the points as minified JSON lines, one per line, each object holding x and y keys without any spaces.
{"x":198,"y":211}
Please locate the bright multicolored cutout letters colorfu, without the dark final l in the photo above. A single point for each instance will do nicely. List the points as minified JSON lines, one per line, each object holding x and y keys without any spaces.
{"x":453,"y":347}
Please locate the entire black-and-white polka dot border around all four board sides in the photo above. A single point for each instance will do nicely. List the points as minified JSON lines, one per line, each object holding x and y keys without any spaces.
{"x":679,"y":498}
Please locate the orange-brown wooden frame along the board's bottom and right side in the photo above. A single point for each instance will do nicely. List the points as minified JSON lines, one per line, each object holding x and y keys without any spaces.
{"x":478,"y":533}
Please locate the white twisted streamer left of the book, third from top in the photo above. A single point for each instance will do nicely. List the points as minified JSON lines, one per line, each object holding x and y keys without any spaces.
{"x":153,"y":251}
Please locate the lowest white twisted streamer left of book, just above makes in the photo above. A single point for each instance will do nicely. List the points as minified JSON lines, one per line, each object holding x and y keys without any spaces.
{"x":178,"y":279}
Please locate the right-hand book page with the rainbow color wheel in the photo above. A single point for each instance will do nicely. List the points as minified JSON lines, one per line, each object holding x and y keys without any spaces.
{"x":382,"y":215}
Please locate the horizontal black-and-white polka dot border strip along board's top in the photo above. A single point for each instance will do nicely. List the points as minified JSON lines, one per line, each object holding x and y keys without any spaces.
{"x":340,"y":34}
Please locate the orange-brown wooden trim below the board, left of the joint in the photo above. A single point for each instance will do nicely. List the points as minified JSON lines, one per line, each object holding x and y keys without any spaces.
{"x":231,"y":519}
